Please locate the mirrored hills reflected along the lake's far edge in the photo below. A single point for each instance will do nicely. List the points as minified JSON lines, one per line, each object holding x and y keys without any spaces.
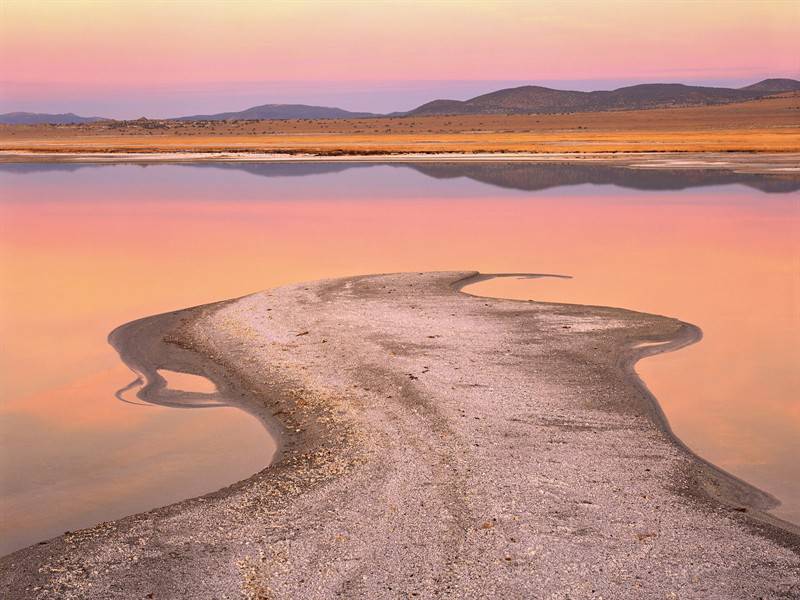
{"x":512,"y":175}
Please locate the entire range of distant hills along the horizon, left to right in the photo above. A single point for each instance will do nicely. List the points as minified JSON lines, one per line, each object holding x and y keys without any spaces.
{"x":528,"y":99}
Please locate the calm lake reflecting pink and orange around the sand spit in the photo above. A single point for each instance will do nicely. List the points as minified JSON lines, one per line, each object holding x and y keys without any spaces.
{"x":85,"y":248}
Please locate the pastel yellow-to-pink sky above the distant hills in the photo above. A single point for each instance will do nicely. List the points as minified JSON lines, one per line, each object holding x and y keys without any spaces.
{"x":126,"y":59}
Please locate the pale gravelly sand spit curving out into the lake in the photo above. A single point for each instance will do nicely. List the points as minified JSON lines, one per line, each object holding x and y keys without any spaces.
{"x":434,"y":444}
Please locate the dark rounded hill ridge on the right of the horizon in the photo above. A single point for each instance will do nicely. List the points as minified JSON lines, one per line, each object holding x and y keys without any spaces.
{"x":537,"y":99}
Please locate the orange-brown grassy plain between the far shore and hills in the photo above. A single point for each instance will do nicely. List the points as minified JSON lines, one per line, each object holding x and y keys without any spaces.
{"x":767,"y":125}
